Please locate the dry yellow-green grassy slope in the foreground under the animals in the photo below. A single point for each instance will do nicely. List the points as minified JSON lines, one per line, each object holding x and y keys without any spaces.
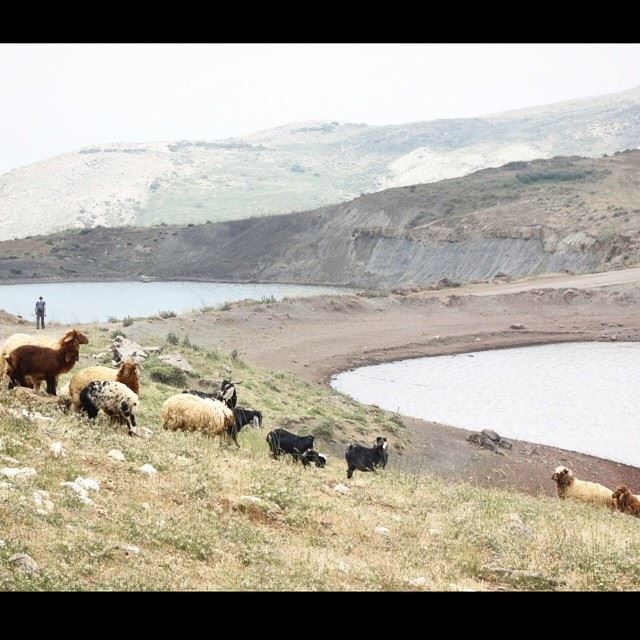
{"x":193,"y":526}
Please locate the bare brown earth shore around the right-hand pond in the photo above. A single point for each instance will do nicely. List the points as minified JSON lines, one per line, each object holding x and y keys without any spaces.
{"x":316,"y":338}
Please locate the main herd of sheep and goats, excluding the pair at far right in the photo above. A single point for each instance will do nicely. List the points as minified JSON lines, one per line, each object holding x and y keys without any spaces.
{"x":27,"y":361}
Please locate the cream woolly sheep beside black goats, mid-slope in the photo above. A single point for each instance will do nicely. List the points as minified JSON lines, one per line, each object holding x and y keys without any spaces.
{"x":187,"y":412}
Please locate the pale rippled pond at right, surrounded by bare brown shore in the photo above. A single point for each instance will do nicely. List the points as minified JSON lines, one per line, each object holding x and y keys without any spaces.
{"x":578,"y":396}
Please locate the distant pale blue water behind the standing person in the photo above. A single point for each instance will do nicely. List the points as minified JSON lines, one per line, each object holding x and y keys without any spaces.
{"x":77,"y":302}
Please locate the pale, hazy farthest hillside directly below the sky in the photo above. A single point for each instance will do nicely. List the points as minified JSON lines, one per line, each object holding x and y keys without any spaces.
{"x":295,"y":167}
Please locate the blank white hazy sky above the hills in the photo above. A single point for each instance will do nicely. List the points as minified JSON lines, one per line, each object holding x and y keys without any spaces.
{"x":59,"y":97}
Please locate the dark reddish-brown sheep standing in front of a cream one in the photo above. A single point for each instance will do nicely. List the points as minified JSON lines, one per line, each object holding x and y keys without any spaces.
{"x":43,"y":362}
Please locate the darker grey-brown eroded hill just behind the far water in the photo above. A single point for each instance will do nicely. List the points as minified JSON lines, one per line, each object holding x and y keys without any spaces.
{"x":573,"y":214}
